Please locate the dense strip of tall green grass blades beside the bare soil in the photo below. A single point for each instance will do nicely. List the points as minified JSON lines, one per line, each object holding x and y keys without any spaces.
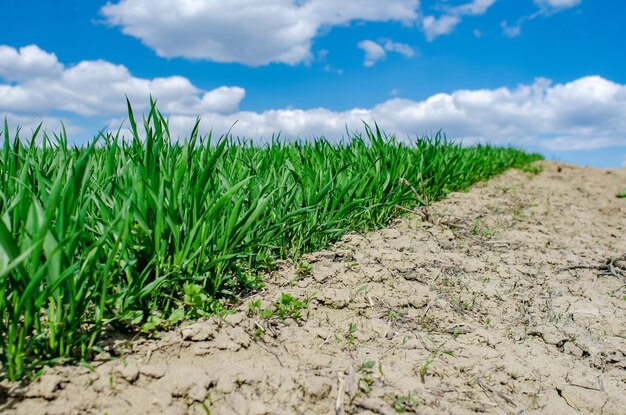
{"x":142,"y":233}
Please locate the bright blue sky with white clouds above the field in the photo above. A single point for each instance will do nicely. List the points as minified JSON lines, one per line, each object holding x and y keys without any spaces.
{"x":545,"y":75}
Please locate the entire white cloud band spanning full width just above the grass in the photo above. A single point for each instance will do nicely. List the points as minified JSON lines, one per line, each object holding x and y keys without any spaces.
{"x":586,"y":113}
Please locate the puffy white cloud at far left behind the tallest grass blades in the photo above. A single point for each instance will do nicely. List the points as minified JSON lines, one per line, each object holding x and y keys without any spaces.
{"x":93,"y":88}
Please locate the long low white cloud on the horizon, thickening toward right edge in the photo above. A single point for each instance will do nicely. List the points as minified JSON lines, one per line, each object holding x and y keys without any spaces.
{"x":583,"y":114}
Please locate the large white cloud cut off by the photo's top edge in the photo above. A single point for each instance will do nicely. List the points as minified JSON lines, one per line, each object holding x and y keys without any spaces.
{"x":252,"y":32}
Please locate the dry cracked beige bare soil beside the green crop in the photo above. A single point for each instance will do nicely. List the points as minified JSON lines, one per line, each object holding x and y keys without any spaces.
{"x":481,"y":310}
